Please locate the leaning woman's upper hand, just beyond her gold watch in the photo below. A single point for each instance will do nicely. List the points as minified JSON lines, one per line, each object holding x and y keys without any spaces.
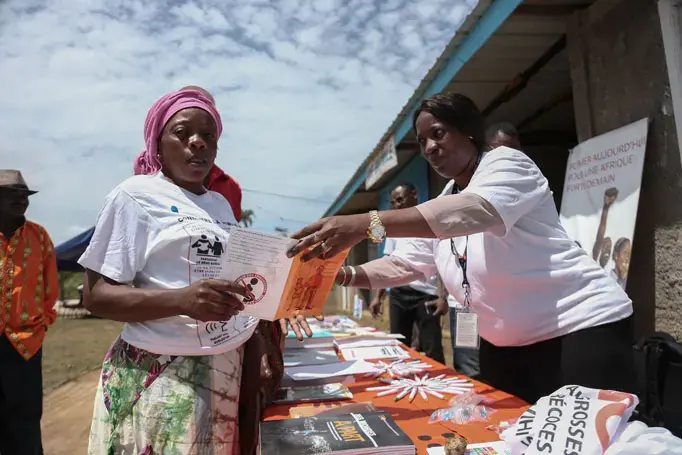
{"x":331,"y":235}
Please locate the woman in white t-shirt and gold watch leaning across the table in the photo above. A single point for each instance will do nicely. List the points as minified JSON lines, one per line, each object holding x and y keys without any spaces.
{"x":547,"y":314}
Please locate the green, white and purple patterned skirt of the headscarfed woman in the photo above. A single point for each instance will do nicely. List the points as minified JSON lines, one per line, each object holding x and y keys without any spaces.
{"x":177,"y":405}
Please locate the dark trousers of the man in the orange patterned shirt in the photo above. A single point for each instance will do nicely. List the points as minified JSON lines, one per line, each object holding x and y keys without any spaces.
{"x":21,"y":401}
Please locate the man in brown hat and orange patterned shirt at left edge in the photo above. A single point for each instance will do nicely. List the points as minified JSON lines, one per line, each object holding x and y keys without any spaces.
{"x":29,"y":289}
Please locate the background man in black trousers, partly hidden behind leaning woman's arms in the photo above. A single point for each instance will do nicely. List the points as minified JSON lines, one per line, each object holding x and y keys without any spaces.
{"x":416,"y":302}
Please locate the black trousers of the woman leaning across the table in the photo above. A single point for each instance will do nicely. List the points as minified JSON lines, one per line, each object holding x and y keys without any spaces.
{"x":599,"y":357}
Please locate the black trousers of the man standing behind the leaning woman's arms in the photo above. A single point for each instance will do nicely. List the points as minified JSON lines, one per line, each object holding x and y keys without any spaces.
{"x":407,"y":308}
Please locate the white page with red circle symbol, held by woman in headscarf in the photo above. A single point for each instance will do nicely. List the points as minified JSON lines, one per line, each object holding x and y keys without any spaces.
{"x":258,"y":260}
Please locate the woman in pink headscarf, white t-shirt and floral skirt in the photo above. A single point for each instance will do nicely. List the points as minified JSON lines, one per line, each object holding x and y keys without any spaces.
{"x":171,"y":382}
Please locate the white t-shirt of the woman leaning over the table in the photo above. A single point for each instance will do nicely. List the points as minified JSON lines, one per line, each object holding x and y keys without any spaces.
{"x":529,"y":282}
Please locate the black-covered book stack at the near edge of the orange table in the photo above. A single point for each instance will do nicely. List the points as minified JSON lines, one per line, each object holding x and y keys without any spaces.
{"x":348,"y":434}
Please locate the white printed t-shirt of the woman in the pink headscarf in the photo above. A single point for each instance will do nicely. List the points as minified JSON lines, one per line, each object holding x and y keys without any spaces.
{"x":155,"y":235}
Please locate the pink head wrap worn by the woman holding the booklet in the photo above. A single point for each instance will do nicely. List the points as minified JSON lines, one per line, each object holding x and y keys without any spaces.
{"x":160,"y":113}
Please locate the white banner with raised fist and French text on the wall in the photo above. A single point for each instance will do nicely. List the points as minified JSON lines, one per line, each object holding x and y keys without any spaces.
{"x":601,"y":195}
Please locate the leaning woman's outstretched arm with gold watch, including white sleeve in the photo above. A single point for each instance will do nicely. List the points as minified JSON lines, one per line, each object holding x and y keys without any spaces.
{"x":505,"y":189}
